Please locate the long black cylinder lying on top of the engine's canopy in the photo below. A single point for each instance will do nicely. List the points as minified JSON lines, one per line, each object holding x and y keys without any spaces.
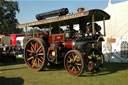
{"x":53,"y":13}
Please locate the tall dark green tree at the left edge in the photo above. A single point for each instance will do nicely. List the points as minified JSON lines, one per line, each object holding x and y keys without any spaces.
{"x":8,"y":21}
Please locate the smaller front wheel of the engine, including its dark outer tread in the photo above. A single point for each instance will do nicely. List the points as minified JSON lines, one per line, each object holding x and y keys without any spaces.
{"x":74,"y":62}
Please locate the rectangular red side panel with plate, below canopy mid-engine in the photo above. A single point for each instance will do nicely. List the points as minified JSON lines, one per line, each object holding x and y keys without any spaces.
{"x":57,"y":38}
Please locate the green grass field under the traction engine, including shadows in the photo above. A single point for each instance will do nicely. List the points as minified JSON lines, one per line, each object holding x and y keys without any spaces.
{"x":18,"y":74}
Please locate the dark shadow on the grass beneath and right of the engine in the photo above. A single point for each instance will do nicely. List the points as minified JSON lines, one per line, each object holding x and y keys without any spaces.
{"x":108,"y":68}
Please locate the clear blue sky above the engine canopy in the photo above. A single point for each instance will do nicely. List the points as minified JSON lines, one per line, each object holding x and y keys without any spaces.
{"x":29,"y":8}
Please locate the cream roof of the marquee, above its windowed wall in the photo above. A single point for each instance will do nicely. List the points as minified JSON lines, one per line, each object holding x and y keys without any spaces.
{"x":118,"y":24}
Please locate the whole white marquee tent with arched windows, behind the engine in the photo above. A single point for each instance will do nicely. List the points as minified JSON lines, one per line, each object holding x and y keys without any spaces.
{"x":115,"y":46}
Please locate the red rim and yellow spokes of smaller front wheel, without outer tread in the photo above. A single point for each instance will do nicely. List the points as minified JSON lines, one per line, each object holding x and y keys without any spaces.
{"x":74,"y":64}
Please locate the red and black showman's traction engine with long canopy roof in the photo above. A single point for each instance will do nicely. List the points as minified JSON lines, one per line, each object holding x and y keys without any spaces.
{"x":79,"y":50}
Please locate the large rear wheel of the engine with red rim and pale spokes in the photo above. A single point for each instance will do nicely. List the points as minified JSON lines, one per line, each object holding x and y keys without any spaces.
{"x":34,"y":54}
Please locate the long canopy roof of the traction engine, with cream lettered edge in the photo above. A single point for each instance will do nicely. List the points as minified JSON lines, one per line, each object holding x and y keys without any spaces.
{"x":68,"y":19}
